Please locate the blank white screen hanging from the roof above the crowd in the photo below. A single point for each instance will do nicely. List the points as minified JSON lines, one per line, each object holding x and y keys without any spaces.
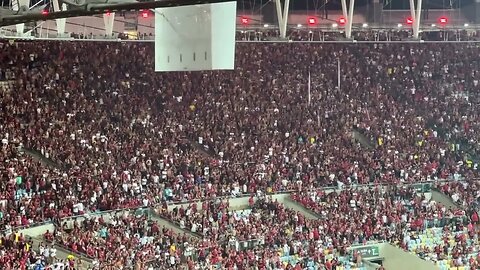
{"x":199,"y":37}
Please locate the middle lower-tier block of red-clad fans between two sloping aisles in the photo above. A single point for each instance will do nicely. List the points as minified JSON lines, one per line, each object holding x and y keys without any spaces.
{"x":277,"y":235}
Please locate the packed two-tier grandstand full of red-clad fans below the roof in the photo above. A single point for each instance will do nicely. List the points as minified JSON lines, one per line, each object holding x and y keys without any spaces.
{"x":89,"y":127}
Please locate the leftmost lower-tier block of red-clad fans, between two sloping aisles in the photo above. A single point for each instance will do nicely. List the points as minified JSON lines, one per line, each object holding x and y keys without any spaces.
{"x":122,"y":241}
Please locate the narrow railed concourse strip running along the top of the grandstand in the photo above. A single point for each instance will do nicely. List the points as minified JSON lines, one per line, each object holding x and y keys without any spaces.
{"x":319,"y":34}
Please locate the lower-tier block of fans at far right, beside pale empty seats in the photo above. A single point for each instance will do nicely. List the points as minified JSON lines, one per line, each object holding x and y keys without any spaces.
{"x":403,"y":217}
